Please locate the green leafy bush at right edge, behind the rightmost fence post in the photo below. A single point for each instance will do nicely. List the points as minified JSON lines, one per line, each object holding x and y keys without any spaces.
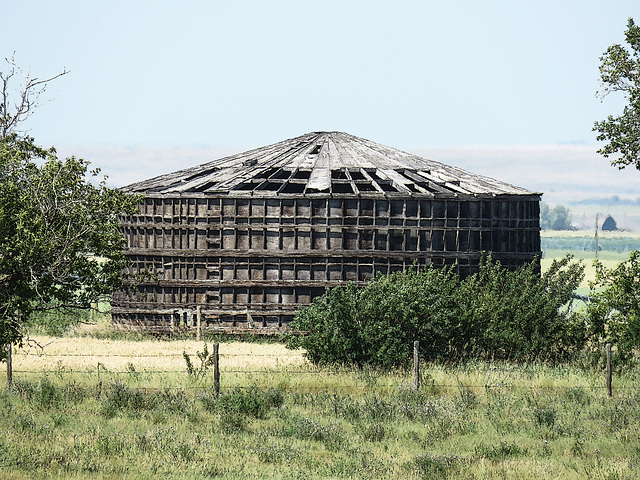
{"x":614,"y":311}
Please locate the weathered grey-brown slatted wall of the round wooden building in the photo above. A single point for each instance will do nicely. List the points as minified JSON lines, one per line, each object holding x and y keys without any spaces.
{"x":251,"y":262}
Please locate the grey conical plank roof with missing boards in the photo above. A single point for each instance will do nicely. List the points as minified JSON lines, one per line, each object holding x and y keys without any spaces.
{"x":327,"y":163}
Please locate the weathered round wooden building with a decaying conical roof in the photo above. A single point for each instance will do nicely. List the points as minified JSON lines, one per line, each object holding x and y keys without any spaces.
{"x":244,"y":241}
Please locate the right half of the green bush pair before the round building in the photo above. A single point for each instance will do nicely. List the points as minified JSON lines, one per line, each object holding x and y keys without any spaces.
{"x":518,"y":315}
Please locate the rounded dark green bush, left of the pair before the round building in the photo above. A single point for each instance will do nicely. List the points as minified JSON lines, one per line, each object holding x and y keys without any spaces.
{"x":377,"y":324}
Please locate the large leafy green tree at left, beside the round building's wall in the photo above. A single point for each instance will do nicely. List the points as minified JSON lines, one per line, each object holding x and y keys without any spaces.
{"x":60,"y":247}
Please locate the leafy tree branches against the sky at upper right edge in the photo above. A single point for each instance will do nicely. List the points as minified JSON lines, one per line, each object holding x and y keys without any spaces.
{"x":620,"y":72}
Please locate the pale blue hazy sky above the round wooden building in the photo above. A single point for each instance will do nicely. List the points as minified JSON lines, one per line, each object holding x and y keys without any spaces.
{"x":500,"y":87}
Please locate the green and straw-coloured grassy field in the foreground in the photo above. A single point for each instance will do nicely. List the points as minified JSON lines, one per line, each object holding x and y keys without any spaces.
{"x":92,"y":408}
